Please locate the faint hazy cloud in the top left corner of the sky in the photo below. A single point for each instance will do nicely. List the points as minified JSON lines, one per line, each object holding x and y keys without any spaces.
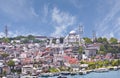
{"x":17,"y":10}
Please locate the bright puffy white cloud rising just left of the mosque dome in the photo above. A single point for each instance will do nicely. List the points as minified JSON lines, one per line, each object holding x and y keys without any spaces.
{"x":62,"y":20}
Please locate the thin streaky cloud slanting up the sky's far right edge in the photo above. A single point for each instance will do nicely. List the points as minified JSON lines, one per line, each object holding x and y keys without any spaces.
{"x":106,"y":26}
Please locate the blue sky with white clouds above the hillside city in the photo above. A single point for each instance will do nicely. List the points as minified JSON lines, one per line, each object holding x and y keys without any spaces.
{"x":58,"y":17}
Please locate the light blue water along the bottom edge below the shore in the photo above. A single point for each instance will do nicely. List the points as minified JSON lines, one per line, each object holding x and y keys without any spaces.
{"x":110,"y":74}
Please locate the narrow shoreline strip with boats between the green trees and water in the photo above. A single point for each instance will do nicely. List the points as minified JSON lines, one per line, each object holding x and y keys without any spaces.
{"x":83,"y":72}
